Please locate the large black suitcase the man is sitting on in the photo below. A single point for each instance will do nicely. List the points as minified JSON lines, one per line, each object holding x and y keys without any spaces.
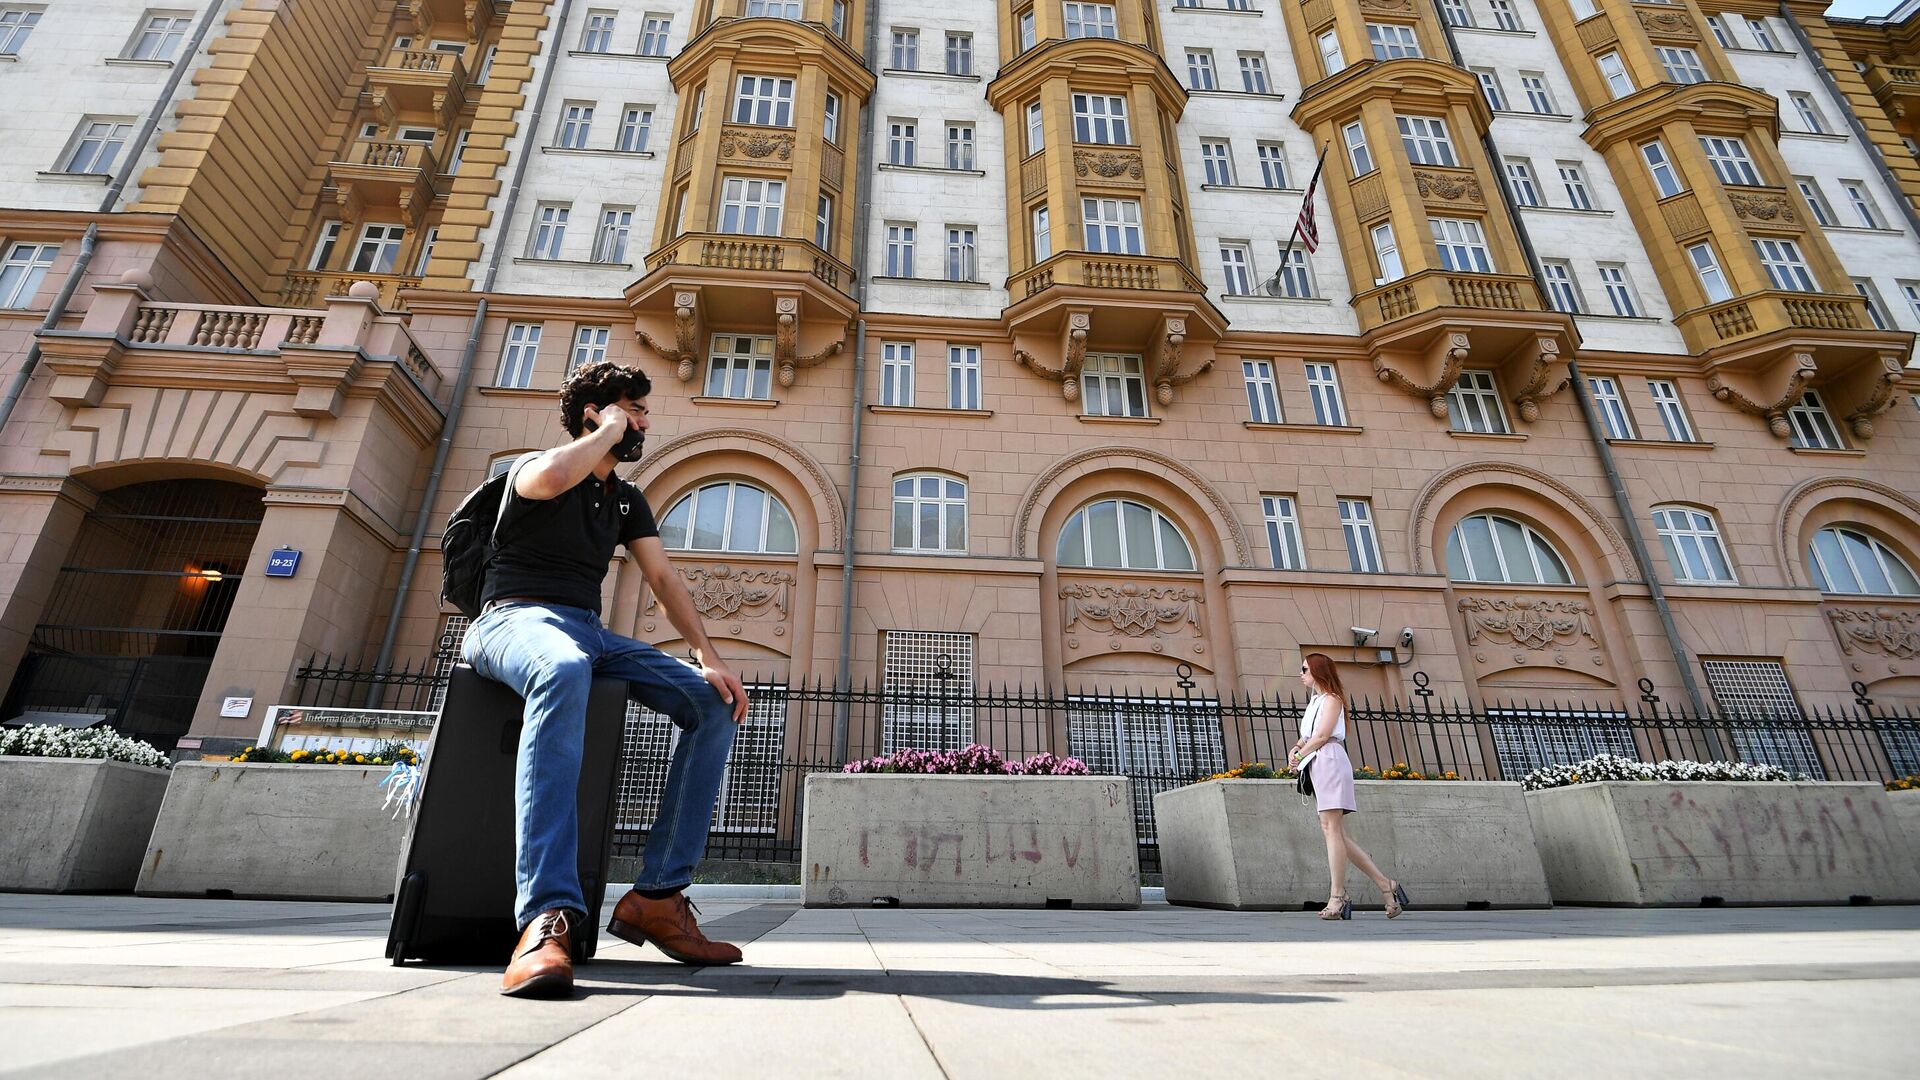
{"x":454,"y":902}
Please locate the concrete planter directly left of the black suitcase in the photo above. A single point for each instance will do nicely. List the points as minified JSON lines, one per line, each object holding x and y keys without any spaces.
{"x":274,"y":833}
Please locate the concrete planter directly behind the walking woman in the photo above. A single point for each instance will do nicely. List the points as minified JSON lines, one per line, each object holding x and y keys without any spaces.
{"x":1259,"y":845}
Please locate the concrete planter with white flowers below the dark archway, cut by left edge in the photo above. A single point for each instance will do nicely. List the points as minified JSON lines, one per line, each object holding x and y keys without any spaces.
{"x":76,"y":823}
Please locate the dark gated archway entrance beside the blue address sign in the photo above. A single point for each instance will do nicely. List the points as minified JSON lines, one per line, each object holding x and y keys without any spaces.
{"x":139,"y":608}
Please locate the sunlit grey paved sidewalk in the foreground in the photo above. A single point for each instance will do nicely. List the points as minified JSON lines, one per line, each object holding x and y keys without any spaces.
{"x":158,"y":989}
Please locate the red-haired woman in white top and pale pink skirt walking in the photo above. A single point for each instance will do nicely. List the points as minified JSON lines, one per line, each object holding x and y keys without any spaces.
{"x":1322,"y":749}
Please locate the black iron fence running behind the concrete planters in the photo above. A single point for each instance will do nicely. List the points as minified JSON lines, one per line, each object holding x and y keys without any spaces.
{"x":1164,"y":741}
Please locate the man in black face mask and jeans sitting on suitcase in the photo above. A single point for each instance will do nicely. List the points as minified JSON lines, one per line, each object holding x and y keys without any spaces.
{"x":562,"y":520}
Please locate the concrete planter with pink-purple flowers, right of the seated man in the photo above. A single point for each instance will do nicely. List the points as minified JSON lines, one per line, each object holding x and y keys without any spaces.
{"x":969,"y":841}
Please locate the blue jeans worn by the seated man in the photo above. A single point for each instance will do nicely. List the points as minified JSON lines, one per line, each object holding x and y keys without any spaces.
{"x":552,"y":654}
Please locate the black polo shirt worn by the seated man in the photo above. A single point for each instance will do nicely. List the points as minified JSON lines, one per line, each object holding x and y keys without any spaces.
{"x":558,"y":551}
